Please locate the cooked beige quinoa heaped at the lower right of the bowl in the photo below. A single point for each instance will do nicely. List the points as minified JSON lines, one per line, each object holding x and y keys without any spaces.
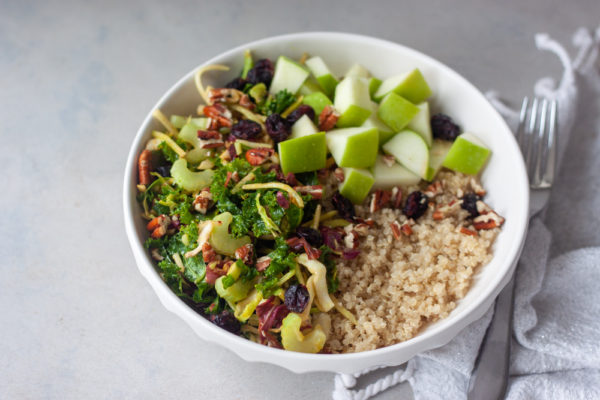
{"x":400,"y":283}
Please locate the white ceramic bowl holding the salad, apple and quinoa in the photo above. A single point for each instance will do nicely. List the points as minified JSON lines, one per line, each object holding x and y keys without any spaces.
{"x":504,"y":178}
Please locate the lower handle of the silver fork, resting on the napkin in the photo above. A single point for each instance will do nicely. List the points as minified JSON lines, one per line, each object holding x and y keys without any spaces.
{"x":490,"y":376}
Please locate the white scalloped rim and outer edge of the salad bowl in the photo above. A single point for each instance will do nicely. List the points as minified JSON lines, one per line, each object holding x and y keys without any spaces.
{"x":437,"y":335}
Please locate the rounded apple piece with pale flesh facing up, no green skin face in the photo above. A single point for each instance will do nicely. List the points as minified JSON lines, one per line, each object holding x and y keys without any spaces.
{"x":410,"y":150}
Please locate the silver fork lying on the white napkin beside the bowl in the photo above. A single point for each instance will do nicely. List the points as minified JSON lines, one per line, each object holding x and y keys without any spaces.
{"x":537,"y":138}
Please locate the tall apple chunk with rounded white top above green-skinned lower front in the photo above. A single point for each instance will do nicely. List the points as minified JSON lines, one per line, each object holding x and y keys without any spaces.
{"x":352,"y":101}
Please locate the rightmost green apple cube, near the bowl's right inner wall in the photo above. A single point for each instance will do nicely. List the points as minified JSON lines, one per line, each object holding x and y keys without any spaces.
{"x":468,"y":154}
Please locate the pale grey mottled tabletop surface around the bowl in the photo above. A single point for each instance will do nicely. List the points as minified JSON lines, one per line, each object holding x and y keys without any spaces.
{"x":76,"y":80}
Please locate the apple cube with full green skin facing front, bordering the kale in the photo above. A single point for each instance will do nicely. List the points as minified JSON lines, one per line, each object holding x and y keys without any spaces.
{"x":303,"y":153}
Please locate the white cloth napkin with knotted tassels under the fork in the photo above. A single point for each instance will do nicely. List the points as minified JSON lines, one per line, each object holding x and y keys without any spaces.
{"x":556,"y":329}
